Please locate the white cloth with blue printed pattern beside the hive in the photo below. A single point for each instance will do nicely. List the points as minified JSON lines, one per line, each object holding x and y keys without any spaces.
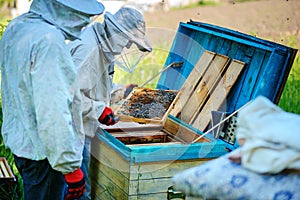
{"x":224,"y":180}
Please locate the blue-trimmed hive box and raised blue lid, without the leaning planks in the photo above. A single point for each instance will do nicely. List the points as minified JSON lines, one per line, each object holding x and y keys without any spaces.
{"x":121,"y":171}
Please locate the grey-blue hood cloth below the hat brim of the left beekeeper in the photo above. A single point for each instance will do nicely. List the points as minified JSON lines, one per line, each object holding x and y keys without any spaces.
{"x":69,"y":20}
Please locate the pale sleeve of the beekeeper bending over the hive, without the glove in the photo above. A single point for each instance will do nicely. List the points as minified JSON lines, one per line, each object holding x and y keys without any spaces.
{"x":87,"y":58}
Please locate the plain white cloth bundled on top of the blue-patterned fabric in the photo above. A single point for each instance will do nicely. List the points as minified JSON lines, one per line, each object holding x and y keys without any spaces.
{"x":272,"y":137}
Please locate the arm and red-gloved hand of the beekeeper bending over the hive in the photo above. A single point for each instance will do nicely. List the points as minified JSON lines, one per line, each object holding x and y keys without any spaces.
{"x":91,"y":71}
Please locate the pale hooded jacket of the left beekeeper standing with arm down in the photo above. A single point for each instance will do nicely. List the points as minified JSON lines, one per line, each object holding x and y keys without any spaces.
{"x":39,"y":101}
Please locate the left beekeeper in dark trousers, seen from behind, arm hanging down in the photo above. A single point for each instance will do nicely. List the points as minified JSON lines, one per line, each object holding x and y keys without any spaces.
{"x":38,"y":97}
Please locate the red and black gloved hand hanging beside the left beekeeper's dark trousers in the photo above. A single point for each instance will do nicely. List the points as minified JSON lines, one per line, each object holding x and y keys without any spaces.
{"x":76,"y":184}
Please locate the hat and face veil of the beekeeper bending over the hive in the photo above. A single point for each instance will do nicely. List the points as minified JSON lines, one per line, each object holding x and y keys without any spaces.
{"x":124,"y":28}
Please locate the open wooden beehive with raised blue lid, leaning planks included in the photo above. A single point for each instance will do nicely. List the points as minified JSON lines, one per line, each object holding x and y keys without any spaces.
{"x":222,"y":70}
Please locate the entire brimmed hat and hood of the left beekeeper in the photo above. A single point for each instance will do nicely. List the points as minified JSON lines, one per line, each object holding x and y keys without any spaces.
{"x":70,"y":16}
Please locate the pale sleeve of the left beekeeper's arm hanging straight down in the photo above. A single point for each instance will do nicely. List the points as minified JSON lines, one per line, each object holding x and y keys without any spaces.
{"x":53,"y":77}
